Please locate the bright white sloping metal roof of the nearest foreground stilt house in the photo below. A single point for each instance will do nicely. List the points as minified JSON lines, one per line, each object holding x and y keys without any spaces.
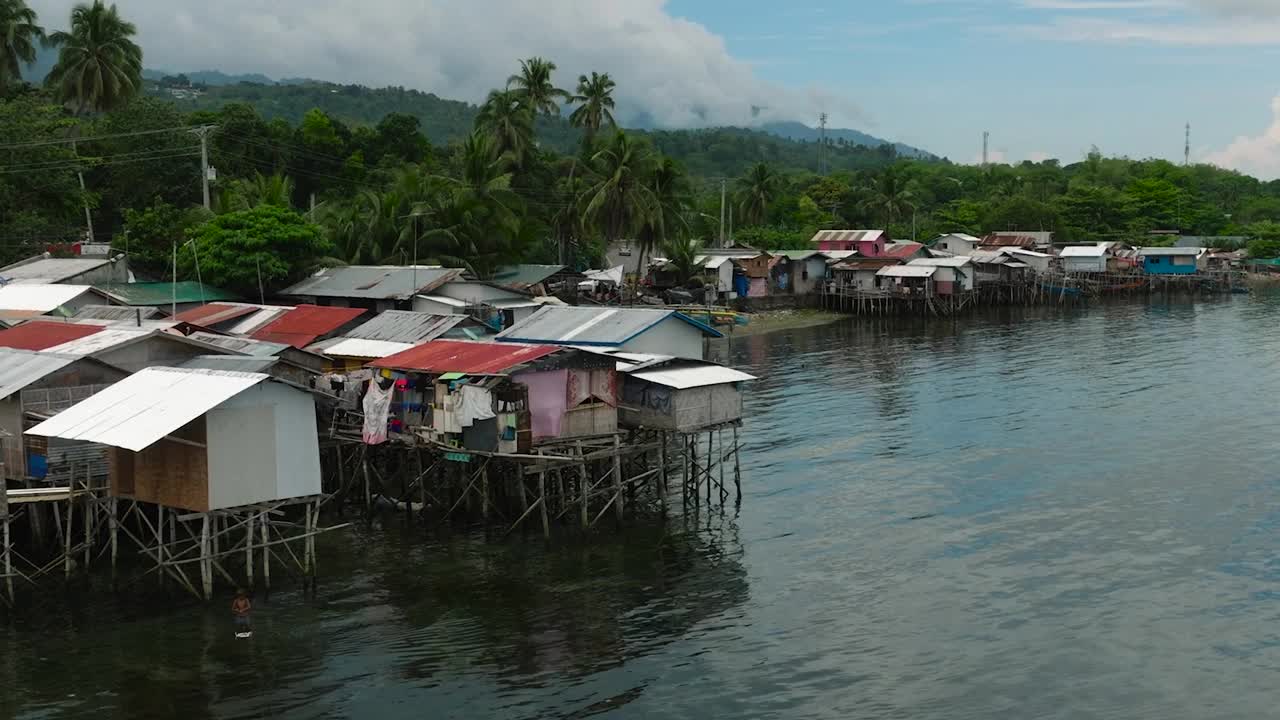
{"x":141,"y":409}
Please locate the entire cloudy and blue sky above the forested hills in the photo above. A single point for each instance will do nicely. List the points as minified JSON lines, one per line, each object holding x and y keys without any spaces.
{"x":1046,"y":79}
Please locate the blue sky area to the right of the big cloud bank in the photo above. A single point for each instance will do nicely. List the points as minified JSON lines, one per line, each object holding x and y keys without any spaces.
{"x":1046,"y":78}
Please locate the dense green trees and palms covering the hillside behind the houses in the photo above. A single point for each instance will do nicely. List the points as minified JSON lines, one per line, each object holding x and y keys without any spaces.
{"x":510,"y":181}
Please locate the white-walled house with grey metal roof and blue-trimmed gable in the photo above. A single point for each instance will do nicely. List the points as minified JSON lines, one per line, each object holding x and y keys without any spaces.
{"x":634,"y":330}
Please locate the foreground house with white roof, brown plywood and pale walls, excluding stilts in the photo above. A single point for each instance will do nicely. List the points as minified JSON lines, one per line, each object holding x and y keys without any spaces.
{"x":212,"y":440}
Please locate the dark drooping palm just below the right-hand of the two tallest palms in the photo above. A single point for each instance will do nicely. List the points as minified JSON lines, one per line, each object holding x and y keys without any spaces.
{"x":621,"y":199}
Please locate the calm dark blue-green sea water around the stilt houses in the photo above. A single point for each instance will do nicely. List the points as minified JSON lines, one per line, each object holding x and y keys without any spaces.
{"x":1049,"y":516}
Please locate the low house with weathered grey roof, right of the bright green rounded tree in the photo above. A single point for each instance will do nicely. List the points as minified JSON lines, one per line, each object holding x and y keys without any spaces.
{"x":374,"y":288}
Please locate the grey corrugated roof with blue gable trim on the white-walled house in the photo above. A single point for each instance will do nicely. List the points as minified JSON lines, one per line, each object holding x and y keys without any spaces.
{"x":592,"y":326}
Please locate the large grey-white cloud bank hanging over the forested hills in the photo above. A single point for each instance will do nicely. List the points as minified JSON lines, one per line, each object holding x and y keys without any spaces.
{"x":671,"y":69}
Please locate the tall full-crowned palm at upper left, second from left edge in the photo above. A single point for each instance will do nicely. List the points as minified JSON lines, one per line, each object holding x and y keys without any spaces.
{"x":99,"y":66}
